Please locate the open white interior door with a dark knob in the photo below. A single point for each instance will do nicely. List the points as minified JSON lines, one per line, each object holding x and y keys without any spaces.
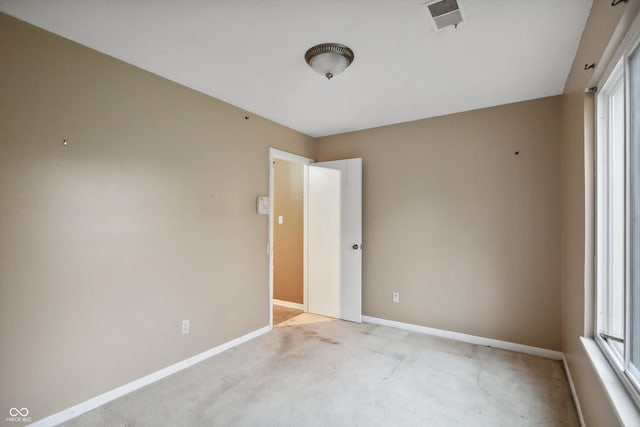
{"x":335,"y":239}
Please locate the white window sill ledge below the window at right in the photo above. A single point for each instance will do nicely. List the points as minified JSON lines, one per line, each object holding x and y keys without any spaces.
{"x":619,"y":397}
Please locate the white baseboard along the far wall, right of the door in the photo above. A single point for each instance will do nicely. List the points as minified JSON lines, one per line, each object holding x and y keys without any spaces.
{"x":471,"y":339}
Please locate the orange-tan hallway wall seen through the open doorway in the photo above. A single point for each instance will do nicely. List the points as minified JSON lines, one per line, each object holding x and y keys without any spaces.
{"x":288,"y":237}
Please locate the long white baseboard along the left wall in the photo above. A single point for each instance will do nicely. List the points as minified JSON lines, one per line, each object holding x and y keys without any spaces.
{"x":93,"y":403}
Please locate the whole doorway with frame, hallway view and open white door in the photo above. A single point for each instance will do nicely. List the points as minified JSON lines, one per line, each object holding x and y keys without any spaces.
{"x":331,"y":236}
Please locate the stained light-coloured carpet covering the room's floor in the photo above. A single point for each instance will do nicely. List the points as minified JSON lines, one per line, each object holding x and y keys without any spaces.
{"x":338,"y":373}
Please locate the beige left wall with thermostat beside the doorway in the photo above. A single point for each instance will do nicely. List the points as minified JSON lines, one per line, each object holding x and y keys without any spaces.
{"x":147,"y":217}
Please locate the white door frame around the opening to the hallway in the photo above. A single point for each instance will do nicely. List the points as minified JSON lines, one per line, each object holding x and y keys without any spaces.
{"x":275,"y":153}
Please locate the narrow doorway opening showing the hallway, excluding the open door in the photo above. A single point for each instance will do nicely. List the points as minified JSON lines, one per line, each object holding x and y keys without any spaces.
{"x":287,"y":228}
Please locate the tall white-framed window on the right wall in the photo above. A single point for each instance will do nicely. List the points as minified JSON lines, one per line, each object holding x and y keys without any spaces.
{"x":618,"y":220}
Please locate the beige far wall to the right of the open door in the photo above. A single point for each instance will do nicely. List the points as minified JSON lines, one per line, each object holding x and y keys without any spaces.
{"x":464,"y":229}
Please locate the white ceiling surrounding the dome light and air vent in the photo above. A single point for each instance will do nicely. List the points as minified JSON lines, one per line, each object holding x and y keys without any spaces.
{"x":250,"y":53}
